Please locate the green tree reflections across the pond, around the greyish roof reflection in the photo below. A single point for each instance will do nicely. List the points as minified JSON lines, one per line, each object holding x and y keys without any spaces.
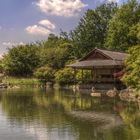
{"x":52,"y":110}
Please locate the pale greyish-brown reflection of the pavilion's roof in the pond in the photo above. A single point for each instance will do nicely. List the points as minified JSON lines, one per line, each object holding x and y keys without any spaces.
{"x":103,"y":119}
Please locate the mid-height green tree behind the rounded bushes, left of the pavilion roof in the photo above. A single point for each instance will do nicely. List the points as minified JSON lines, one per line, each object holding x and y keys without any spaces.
{"x":56,"y":51}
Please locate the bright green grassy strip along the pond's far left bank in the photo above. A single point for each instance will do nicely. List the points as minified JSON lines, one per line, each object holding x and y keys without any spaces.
{"x":21,"y":81}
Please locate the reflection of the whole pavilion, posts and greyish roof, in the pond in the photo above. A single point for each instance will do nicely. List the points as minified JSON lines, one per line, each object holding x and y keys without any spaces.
{"x":99,"y":112}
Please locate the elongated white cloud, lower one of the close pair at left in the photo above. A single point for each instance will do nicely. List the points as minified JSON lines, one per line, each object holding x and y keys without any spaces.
{"x":37,"y":30}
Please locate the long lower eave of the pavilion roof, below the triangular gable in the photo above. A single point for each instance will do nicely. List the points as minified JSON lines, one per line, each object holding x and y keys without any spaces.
{"x":96,"y":63}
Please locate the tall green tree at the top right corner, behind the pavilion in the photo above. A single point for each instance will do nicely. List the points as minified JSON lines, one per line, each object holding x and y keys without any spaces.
{"x":122,"y":27}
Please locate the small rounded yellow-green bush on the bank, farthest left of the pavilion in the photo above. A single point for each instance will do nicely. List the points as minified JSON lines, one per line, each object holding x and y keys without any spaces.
{"x":45,"y":74}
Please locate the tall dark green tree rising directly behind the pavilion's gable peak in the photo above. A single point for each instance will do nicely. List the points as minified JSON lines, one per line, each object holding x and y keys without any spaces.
{"x":92,"y":28}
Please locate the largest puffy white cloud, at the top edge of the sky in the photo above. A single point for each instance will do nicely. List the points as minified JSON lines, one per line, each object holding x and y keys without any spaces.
{"x":67,"y":8}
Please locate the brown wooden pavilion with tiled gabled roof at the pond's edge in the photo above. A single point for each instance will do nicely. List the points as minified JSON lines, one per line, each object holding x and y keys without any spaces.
{"x":107,"y":67}
